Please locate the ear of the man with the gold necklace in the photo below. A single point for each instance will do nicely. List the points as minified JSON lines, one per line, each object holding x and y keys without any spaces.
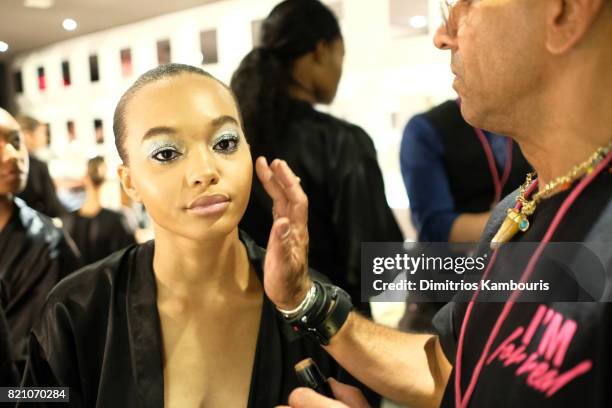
{"x":569,"y":21}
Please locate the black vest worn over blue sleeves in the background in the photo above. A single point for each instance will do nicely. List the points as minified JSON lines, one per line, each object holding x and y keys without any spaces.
{"x":466,"y":164}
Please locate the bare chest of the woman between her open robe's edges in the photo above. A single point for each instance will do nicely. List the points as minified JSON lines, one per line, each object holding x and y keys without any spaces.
{"x":209,"y":355}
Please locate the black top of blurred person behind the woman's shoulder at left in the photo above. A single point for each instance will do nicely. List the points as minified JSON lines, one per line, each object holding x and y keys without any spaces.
{"x":98,"y":236}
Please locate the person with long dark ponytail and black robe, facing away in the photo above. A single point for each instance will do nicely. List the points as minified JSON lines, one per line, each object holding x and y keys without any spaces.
{"x":297,"y":65}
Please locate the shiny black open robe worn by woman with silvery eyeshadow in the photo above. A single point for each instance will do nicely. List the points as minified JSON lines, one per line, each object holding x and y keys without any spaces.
{"x":100,"y":335}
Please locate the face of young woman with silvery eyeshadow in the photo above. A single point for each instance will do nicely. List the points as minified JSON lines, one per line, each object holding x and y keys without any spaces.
{"x":189,"y":162}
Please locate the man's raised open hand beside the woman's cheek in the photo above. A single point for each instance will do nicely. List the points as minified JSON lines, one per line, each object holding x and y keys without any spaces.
{"x":286,"y":278}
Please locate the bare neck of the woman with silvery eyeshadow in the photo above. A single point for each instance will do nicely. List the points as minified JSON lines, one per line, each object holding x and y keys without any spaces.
{"x":184,"y":267}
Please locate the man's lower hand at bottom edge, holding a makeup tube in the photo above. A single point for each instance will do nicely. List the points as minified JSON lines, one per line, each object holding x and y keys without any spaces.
{"x":347,"y":397}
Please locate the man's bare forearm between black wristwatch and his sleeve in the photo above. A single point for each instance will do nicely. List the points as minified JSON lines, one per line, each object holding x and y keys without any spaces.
{"x":407,"y":368}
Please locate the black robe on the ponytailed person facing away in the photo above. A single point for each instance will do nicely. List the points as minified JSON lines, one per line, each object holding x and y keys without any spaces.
{"x":336,"y":162}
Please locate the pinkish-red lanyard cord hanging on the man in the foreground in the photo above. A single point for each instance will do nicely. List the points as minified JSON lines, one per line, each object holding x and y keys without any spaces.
{"x":565,"y":206}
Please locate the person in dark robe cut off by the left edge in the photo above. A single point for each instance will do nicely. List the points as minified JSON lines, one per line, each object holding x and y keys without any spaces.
{"x":34,"y":253}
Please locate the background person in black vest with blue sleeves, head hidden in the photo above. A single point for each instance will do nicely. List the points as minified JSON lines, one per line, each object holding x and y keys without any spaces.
{"x":454,"y":176}
